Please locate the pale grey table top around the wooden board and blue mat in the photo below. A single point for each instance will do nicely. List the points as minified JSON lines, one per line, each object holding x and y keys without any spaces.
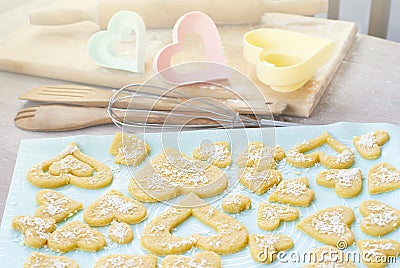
{"x":366,"y":88}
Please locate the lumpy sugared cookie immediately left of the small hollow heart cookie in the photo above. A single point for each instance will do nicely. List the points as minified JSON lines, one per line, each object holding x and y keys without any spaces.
{"x":260,"y":156}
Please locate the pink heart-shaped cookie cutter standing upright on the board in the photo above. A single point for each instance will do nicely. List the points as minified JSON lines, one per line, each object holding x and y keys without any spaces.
{"x":215,"y":68}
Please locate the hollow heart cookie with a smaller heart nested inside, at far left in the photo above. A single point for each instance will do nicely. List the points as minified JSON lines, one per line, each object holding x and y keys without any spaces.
{"x":70,"y":166}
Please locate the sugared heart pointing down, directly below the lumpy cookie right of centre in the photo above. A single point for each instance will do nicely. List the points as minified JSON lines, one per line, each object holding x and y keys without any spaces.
{"x":259,"y":181}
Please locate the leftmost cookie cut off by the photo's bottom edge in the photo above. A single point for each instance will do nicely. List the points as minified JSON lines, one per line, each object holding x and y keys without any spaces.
{"x":37,"y":259}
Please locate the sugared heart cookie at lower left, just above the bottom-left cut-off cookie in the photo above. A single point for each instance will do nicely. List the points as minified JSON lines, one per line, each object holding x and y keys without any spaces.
{"x":76,"y":236}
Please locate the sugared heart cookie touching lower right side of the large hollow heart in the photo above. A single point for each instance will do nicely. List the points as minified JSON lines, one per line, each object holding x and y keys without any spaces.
{"x":264,"y":248}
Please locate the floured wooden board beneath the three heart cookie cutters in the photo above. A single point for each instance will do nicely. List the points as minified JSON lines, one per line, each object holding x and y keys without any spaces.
{"x":60,"y":52}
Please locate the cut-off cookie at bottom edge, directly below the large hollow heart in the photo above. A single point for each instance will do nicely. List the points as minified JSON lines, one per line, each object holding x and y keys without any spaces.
{"x":206,"y":259}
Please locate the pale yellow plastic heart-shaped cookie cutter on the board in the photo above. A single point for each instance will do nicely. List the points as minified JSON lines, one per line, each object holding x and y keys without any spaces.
{"x":286,"y":60}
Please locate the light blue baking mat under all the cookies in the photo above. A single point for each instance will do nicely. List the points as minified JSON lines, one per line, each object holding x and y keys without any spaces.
{"x":22,"y":195}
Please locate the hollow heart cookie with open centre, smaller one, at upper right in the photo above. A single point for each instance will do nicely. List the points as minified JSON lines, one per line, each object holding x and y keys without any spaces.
{"x":297,"y":156}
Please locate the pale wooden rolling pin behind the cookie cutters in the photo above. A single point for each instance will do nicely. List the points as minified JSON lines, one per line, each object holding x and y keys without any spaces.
{"x":164,"y":13}
